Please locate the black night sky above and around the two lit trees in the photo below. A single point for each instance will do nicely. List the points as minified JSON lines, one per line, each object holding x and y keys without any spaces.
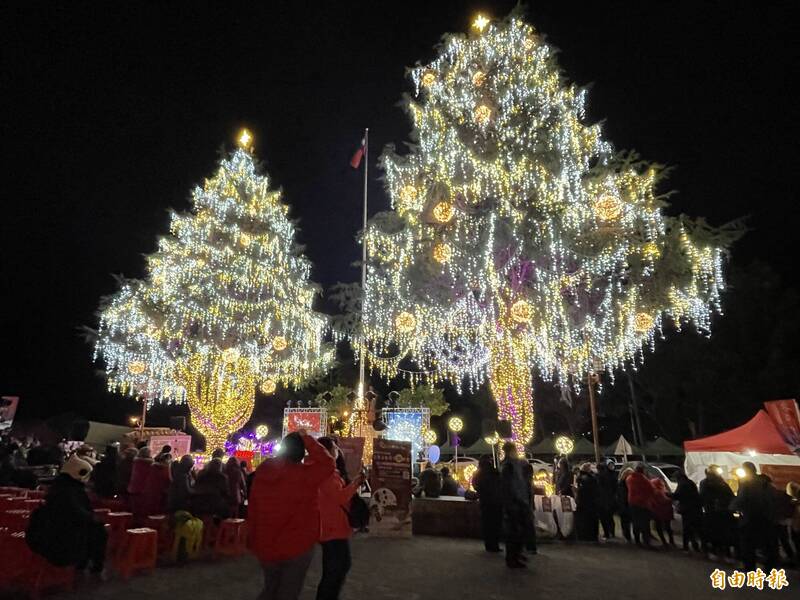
{"x":113,"y":113}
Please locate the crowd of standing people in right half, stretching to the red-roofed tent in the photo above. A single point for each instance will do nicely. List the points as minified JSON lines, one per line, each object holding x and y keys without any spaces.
{"x":756,"y":523}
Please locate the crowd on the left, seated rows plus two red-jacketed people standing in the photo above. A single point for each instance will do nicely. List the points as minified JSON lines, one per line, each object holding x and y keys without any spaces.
{"x":301,"y":498}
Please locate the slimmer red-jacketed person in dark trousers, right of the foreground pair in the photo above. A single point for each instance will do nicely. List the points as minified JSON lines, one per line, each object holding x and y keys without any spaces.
{"x":335,"y":494}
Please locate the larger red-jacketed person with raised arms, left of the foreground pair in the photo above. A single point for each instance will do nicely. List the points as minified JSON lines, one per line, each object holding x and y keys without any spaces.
{"x":283,"y":513}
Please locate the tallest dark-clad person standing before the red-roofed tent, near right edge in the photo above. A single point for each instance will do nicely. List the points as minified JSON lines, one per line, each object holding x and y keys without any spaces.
{"x":756,"y":504}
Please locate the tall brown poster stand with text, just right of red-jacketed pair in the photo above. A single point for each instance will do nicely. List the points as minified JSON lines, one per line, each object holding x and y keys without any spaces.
{"x":390,"y":481}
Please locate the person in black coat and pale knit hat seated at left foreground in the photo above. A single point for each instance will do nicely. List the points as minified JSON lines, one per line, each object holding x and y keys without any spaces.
{"x":64,"y":530}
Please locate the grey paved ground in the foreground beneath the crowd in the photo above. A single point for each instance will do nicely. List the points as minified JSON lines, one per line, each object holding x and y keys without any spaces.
{"x":425,"y":568}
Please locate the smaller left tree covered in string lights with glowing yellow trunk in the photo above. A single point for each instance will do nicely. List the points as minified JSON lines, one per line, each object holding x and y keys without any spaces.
{"x":226,"y":306}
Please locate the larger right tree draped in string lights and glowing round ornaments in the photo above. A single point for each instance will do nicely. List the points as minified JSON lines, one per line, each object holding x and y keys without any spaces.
{"x":519,"y":241}
